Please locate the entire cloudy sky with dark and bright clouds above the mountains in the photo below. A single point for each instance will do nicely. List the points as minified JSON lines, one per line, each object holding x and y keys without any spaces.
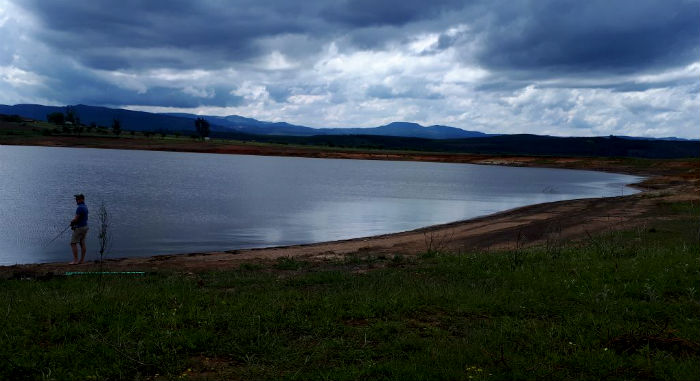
{"x":557,"y":67}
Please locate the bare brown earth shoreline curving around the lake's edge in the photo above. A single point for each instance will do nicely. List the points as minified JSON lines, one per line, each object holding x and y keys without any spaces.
{"x":549,"y":223}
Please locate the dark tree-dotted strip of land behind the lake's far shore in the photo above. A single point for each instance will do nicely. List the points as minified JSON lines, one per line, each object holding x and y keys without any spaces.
{"x":495,"y":145}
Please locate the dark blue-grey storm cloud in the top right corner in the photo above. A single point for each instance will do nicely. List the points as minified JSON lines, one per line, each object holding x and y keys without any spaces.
{"x":581,"y":36}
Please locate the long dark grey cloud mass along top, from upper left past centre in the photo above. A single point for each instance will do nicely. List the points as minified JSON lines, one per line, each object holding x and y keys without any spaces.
{"x":112,"y":35}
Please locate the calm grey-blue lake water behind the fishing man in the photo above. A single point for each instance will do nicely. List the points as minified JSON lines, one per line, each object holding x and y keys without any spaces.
{"x":166,"y":202}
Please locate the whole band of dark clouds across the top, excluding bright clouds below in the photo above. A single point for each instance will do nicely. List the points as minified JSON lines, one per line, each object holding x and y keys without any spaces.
{"x":561,"y":36}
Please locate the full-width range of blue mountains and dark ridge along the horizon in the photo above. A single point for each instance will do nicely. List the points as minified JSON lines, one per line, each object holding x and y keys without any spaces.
{"x":394,"y":136}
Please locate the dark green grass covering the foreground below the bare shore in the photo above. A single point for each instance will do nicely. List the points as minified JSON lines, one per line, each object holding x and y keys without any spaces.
{"x":615,"y":306}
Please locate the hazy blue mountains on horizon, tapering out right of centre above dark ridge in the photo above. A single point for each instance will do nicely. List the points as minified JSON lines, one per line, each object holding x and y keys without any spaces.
{"x":145,"y":121}
